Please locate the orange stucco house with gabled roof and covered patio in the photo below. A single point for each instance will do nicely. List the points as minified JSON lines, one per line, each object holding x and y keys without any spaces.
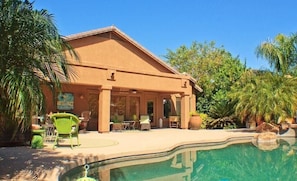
{"x":116,"y":76}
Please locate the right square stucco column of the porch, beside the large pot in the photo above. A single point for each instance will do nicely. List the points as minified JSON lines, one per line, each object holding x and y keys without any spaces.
{"x":185,"y":111}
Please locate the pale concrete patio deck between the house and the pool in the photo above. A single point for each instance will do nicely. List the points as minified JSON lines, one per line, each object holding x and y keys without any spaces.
{"x":24,"y":163}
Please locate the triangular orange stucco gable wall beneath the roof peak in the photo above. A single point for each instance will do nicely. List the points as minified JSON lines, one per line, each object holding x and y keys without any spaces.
{"x":113,"y":53}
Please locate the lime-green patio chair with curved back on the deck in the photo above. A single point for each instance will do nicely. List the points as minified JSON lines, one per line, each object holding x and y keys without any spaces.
{"x":67,"y":126}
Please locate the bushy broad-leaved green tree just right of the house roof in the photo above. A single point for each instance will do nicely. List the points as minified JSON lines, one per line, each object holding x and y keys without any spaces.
{"x":213,"y":67}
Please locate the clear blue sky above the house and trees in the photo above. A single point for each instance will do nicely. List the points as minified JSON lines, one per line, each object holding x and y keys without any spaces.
{"x":158,"y":25}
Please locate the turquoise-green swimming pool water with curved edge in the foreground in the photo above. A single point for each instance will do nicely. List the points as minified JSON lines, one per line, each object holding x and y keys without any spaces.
{"x":223,"y":162}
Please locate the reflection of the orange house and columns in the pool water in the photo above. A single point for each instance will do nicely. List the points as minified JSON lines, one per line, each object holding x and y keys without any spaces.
{"x":177,"y":166}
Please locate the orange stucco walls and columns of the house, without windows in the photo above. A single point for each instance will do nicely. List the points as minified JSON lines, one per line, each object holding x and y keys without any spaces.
{"x":109,"y":62}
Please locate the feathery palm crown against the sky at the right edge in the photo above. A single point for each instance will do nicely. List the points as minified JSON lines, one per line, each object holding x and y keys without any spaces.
{"x":281,"y":53}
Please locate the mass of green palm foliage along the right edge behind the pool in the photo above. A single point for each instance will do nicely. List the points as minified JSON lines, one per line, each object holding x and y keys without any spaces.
{"x":264,"y":95}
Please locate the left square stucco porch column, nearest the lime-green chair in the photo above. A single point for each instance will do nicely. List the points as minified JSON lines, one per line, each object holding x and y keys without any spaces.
{"x":104,"y":109}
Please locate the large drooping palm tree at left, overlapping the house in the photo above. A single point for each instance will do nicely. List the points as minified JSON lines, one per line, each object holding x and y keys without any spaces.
{"x":31,"y":55}
